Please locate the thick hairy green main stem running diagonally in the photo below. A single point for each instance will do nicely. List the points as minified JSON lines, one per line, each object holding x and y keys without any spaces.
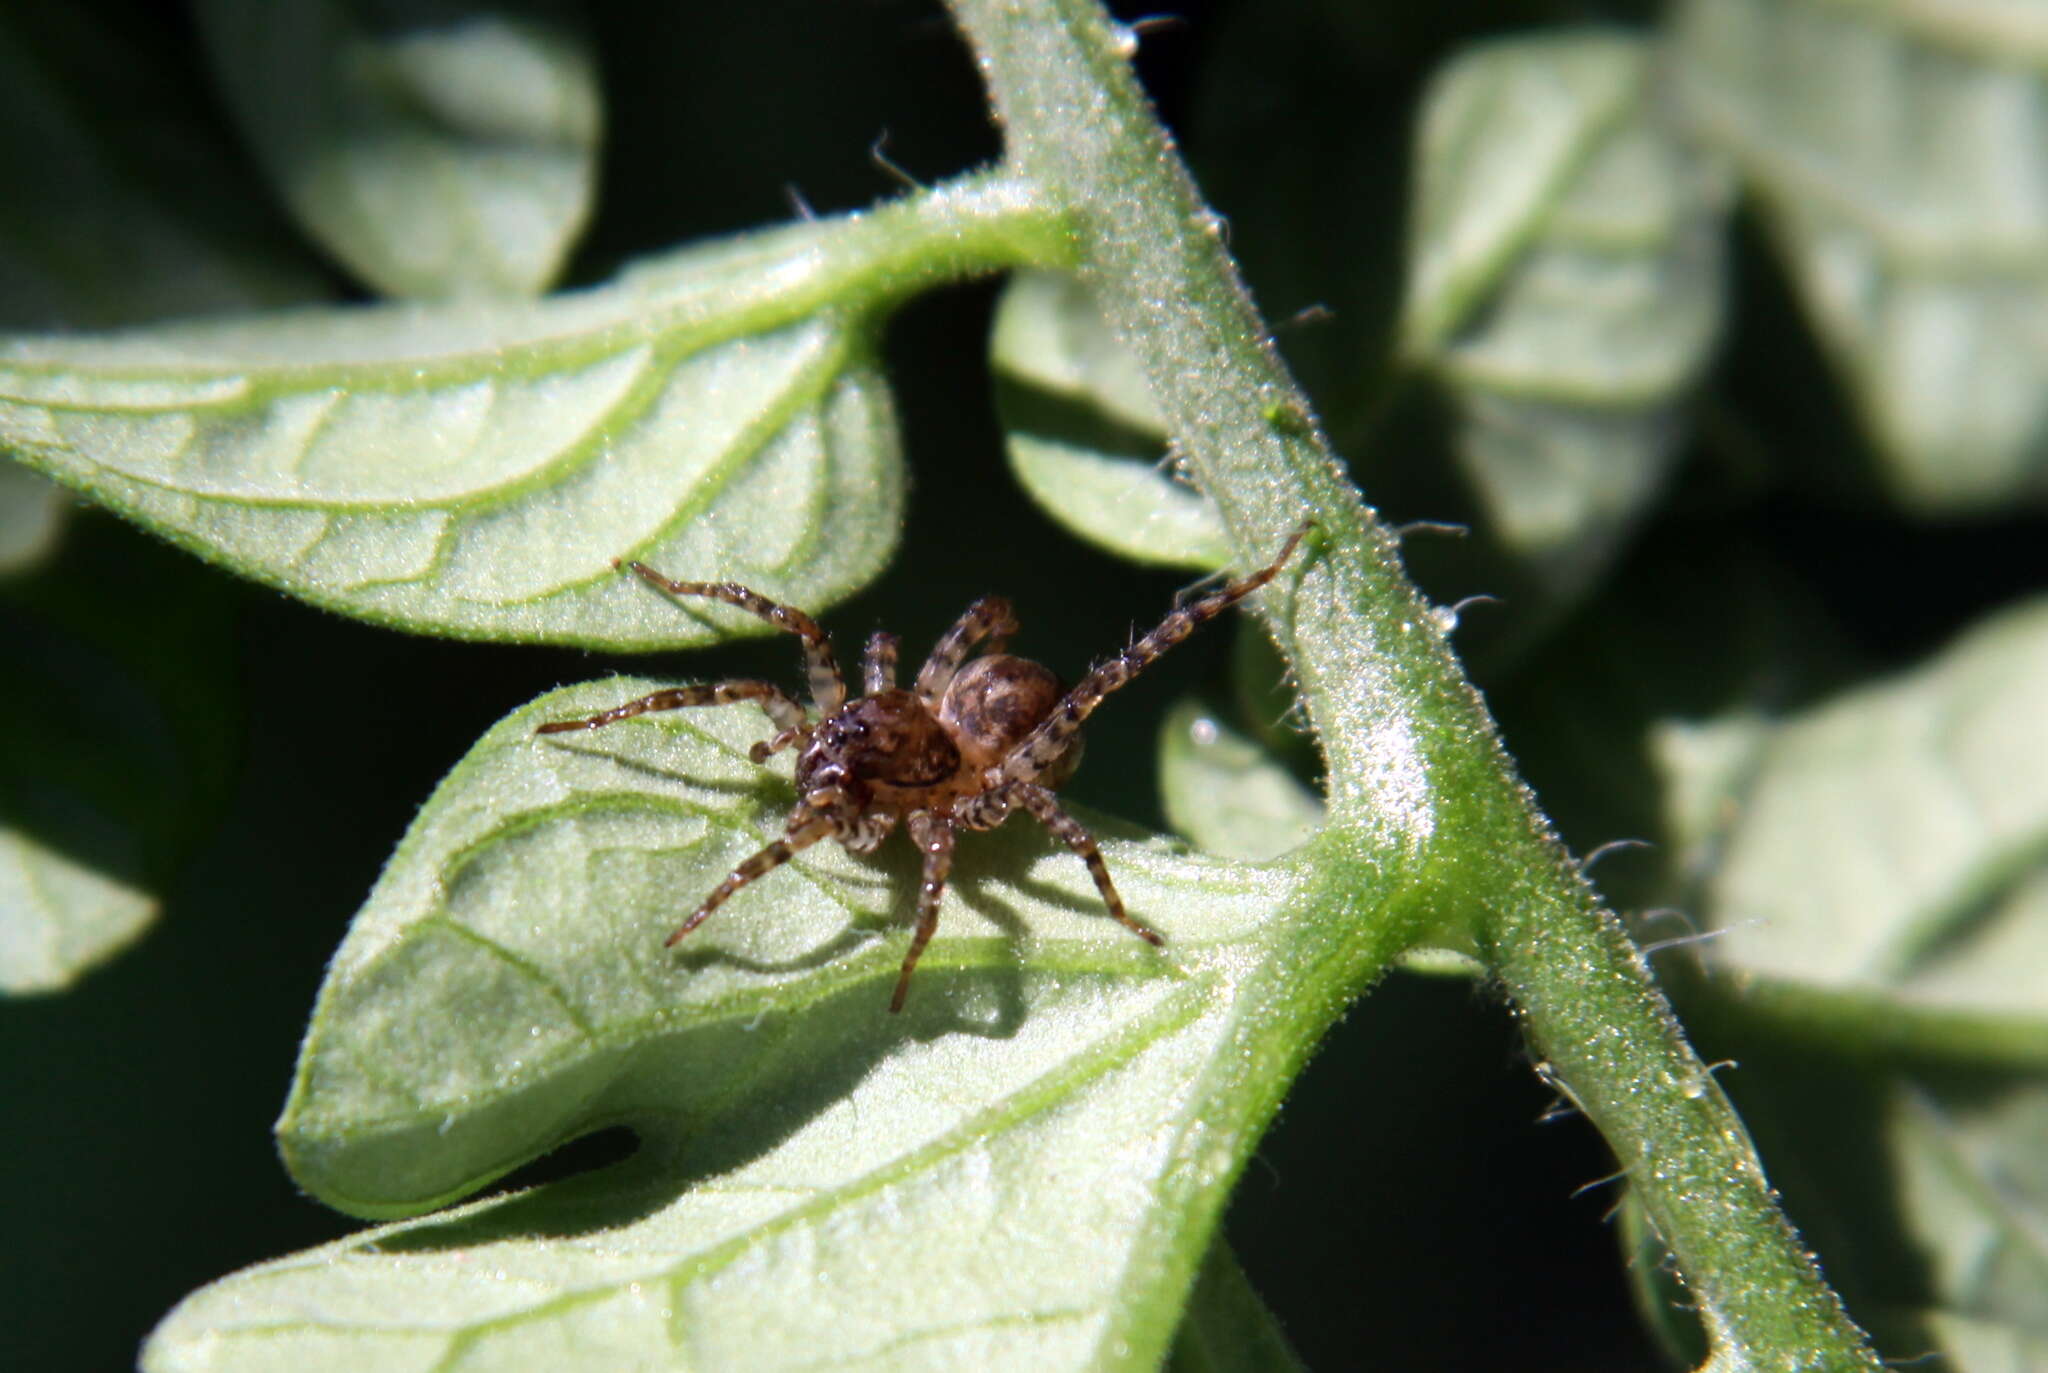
{"x":1428,"y":819}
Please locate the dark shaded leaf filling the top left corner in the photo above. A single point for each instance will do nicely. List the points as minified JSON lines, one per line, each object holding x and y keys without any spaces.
{"x":124,"y":202}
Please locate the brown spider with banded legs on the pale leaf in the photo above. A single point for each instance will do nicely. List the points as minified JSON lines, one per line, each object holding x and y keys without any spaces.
{"x":959,"y":751}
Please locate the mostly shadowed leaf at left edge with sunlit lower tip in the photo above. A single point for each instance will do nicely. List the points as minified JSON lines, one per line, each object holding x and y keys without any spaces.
{"x":128,"y":677}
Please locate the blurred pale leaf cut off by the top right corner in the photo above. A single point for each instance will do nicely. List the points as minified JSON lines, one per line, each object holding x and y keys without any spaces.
{"x":1897,"y":151}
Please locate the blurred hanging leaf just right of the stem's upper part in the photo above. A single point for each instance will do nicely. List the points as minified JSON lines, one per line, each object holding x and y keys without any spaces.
{"x":1566,"y":286}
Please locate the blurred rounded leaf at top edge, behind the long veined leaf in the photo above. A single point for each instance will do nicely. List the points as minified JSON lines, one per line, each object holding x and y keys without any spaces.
{"x":439,"y":151}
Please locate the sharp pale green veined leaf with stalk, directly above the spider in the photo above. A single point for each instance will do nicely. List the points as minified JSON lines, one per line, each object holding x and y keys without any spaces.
{"x":476,"y":468}
